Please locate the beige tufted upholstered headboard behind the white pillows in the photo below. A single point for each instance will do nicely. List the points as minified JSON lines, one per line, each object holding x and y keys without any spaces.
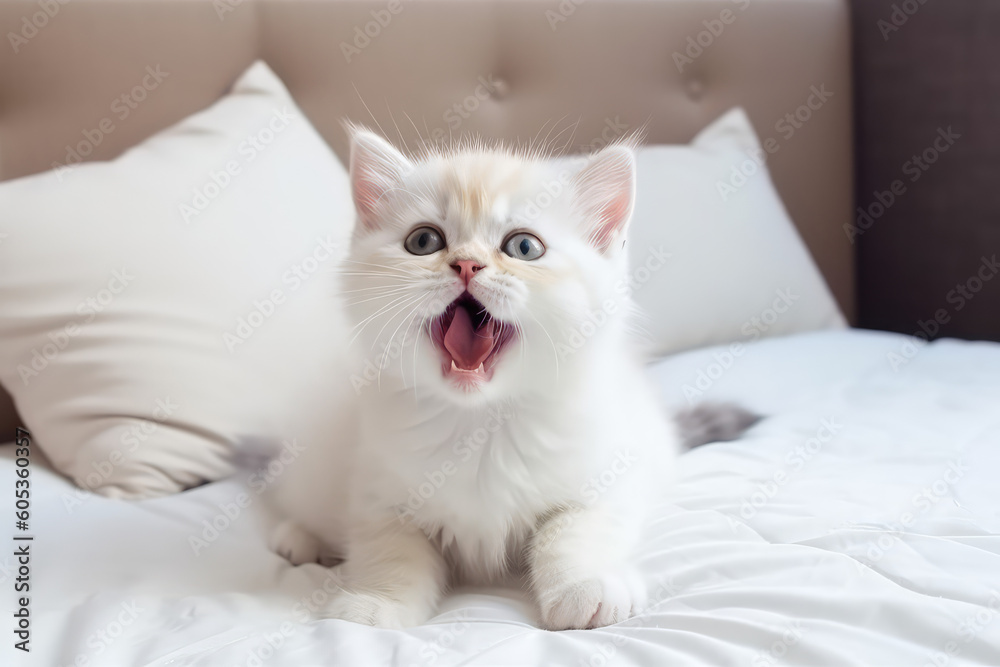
{"x":582,"y":70}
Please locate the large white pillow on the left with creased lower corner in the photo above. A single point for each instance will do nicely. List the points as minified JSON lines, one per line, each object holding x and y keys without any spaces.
{"x":162,"y":307}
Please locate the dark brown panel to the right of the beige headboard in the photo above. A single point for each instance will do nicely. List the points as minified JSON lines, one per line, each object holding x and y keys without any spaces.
{"x":920,"y":69}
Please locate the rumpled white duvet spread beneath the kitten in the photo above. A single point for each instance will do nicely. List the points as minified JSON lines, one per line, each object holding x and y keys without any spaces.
{"x":859,"y":523}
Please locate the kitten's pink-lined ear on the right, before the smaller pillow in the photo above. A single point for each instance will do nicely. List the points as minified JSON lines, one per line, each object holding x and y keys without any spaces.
{"x":605,"y":193}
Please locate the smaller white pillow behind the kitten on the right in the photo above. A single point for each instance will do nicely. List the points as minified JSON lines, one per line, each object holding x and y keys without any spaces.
{"x":737,"y":269}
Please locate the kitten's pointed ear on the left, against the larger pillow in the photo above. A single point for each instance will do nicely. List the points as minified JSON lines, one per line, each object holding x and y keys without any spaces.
{"x":376,"y":168}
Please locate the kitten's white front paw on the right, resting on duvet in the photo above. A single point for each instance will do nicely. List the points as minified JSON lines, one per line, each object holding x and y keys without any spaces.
{"x":593,"y":603}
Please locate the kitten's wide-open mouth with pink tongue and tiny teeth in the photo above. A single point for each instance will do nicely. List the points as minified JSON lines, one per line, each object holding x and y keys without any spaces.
{"x":470,"y":340}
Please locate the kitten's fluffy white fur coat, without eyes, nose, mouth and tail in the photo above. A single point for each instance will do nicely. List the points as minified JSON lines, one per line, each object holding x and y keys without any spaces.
{"x":548,"y":467}
